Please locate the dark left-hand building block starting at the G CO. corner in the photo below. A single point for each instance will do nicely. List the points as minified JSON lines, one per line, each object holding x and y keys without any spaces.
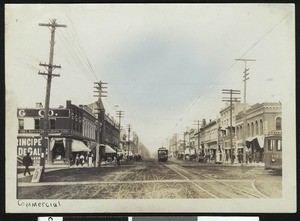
{"x":72,"y":129}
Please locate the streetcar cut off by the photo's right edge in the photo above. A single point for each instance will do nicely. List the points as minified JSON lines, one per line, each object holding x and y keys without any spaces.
{"x":273,"y":151}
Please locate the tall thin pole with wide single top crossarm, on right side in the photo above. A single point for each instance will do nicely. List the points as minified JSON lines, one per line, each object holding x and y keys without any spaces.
{"x":245,"y":78}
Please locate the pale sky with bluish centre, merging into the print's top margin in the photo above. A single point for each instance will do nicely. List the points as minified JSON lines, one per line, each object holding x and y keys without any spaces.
{"x":165,"y":64}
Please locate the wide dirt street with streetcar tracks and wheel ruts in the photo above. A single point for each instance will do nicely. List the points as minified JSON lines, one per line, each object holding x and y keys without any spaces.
{"x":150,"y":179}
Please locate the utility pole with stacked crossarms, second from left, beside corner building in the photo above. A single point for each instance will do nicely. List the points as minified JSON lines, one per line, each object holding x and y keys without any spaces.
{"x":100,"y":111}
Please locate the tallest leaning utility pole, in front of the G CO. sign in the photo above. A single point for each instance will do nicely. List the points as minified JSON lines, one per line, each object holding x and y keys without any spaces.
{"x":49,"y":67}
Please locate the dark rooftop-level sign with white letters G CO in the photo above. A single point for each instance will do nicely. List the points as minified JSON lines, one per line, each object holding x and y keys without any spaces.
{"x":41,"y":113}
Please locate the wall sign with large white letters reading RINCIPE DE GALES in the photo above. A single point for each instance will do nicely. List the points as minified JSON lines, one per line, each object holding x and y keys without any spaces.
{"x":30,"y":145}
